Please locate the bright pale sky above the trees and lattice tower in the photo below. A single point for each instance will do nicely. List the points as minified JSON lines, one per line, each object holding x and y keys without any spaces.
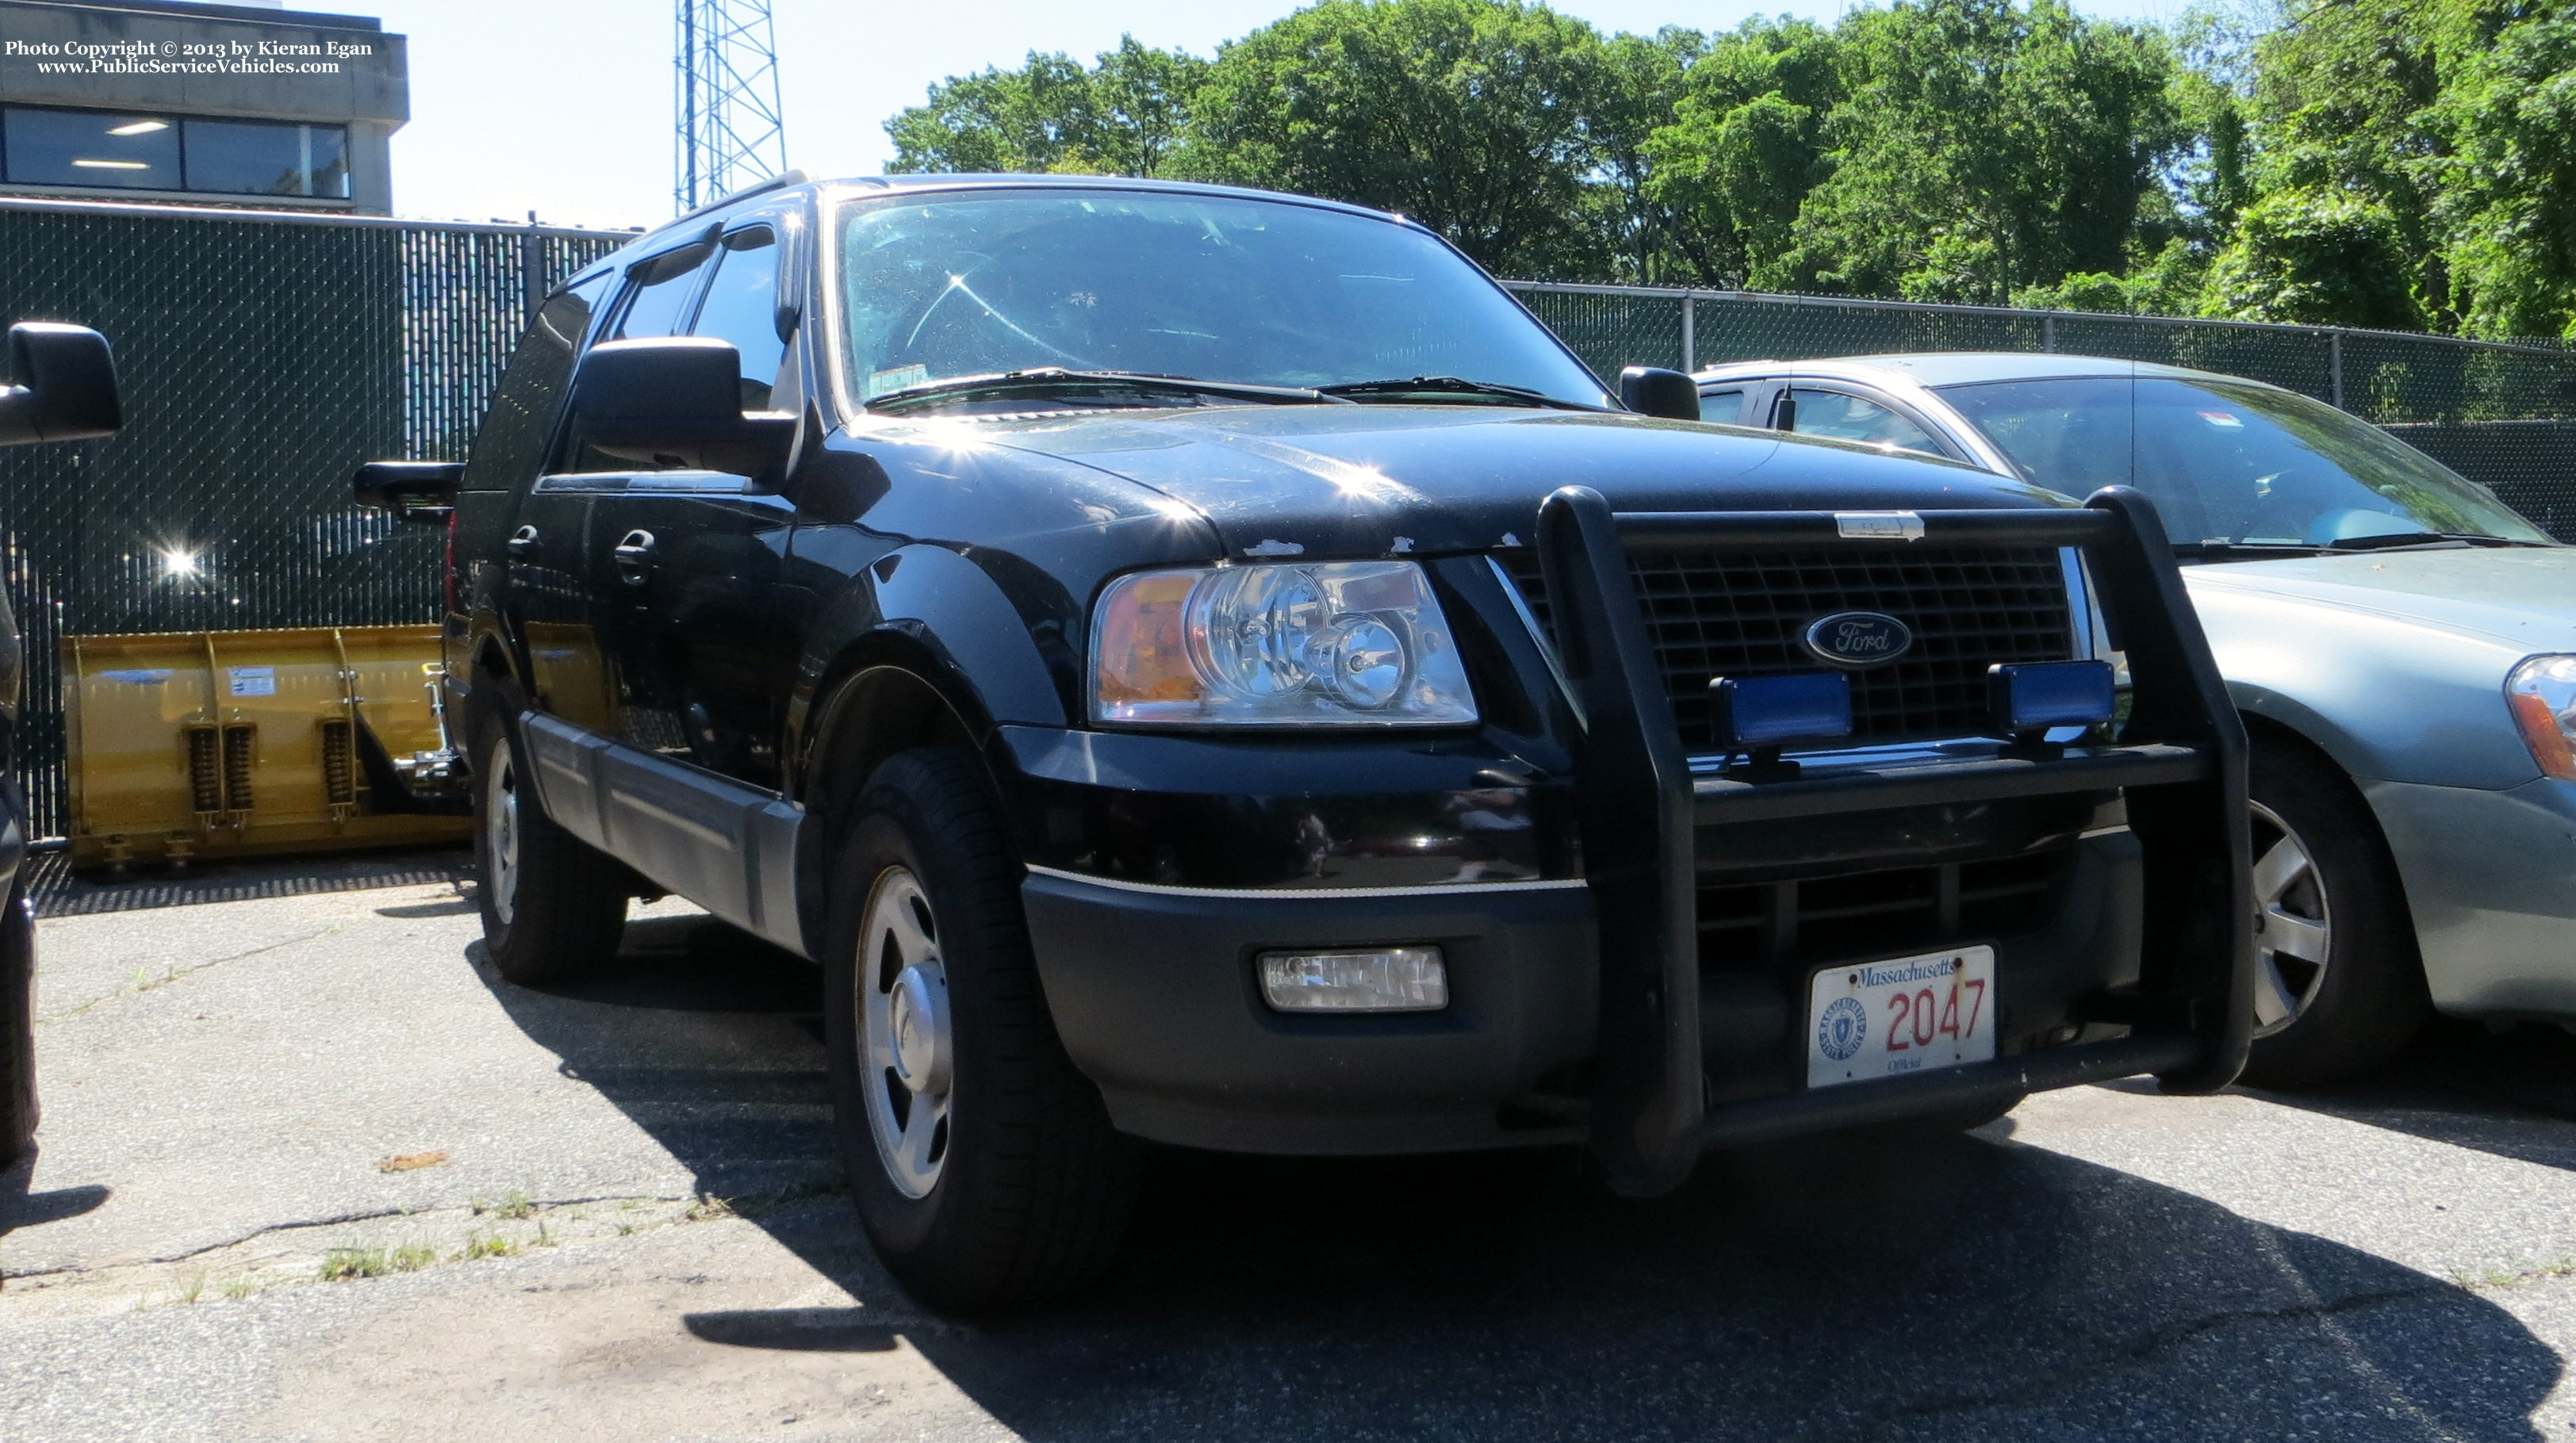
{"x":565,"y":107}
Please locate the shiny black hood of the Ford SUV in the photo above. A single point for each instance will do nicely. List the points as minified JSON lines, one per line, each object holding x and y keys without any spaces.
{"x":1369,"y":481}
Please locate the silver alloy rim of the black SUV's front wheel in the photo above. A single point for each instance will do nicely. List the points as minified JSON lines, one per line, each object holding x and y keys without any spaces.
{"x":908,"y":1053}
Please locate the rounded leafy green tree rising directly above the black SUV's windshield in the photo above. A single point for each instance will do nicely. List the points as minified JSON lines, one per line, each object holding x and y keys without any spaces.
{"x":1475,"y":117}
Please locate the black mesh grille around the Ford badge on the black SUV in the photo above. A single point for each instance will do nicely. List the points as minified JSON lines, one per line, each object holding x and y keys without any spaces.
{"x":1743,"y":615}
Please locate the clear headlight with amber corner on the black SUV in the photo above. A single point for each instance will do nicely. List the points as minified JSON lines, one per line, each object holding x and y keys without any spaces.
{"x":1325,"y":645}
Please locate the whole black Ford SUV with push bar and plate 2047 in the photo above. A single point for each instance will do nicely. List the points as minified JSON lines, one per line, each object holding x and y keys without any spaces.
{"x":1207,"y":666}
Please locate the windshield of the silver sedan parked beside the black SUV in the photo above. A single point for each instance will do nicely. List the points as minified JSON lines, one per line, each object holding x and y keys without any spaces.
{"x":2232,"y":460}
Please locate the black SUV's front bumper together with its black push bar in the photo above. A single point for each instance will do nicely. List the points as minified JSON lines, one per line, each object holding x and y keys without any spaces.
{"x":1619,"y":1006}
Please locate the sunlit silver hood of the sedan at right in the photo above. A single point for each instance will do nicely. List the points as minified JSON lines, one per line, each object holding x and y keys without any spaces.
{"x":2521,"y":597}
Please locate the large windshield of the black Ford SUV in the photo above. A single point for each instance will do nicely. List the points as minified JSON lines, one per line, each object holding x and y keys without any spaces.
{"x":1220,"y":290}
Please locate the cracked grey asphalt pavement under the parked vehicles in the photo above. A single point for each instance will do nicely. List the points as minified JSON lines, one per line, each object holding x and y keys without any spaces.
{"x":313,"y":1171}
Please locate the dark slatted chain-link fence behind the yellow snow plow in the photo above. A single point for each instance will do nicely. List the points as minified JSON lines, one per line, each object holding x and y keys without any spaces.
{"x":261,"y":359}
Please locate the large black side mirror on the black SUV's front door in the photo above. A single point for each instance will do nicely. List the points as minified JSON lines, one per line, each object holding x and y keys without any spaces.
{"x":676,"y":401}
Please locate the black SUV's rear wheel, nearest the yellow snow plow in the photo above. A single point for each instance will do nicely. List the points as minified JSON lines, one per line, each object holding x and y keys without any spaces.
{"x":553,"y":903}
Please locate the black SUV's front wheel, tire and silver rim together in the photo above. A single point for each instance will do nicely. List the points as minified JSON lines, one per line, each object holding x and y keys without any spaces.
{"x":983,"y":1163}
